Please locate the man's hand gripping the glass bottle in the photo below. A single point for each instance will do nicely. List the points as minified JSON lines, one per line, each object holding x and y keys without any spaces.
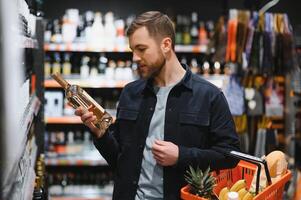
{"x":88,"y":118}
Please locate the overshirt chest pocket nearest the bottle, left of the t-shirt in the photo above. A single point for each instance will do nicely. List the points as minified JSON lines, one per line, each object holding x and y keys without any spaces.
{"x":127,"y":119}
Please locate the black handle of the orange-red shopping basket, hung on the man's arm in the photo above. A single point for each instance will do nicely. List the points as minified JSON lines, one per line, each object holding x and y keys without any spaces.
{"x":254,"y":160}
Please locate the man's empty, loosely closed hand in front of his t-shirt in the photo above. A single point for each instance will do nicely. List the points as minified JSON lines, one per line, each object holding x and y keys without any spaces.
{"x":165,"y":153}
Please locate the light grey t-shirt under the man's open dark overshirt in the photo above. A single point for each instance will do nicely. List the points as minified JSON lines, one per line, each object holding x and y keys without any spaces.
{"x":150,"y":185}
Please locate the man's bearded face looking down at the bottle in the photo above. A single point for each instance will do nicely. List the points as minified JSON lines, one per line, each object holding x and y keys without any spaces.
{"x":146,"y":53}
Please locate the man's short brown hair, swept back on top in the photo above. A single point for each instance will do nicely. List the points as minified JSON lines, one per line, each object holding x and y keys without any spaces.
{"x":158,"y":25}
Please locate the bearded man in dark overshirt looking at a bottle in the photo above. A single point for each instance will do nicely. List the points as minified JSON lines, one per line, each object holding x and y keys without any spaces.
{"x":166,"y":121}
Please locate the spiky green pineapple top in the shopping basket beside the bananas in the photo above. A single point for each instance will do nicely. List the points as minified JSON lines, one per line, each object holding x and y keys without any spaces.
{"x":200,"y":184}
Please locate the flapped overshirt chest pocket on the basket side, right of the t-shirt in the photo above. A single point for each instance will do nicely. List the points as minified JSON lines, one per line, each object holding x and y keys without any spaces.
{"x":194,"y":128}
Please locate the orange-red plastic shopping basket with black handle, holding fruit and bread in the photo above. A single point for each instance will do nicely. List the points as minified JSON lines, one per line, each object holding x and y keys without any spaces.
{"x":245,"y":169}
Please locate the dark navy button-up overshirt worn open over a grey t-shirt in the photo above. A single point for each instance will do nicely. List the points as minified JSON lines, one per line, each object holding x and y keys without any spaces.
{"x":197,"y":119}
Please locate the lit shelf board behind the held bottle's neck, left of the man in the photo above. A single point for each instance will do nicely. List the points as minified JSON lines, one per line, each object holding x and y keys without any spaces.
{"x":91,"y":83}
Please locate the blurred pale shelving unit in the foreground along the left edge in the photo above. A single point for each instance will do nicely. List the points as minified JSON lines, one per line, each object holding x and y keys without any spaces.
{"x":21,"y":103}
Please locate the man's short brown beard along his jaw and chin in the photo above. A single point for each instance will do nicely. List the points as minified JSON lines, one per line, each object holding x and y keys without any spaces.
{"x":152,"y":69}
